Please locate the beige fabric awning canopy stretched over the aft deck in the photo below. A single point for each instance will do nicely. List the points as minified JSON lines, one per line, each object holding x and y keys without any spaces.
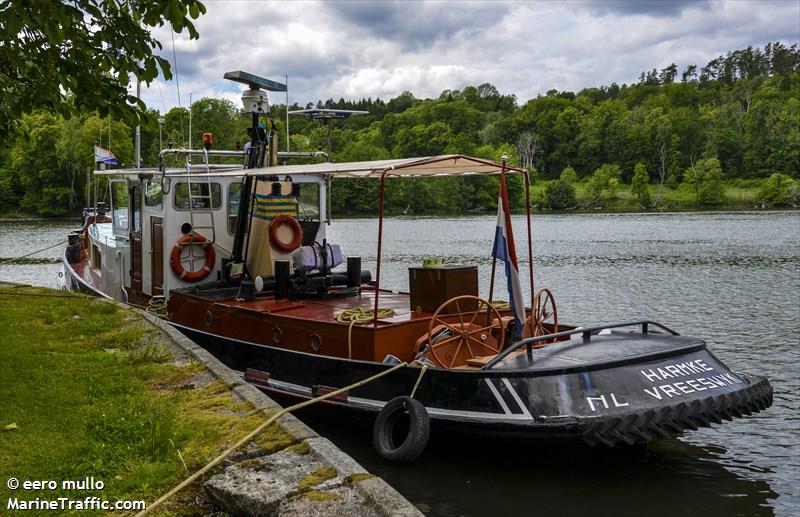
{"x":447,"y":165}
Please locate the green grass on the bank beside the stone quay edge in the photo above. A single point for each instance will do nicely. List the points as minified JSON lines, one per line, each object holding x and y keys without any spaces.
{"x":94,"y":393}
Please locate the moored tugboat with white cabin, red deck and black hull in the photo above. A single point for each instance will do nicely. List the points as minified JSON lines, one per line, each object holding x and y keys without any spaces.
{"x":238,"y":256}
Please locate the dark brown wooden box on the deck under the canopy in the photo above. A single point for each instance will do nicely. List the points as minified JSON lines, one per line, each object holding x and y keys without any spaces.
{"x":432,"y":286}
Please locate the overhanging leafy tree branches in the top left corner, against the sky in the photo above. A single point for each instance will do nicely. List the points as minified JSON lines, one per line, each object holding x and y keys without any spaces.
{"x":80,"y":55}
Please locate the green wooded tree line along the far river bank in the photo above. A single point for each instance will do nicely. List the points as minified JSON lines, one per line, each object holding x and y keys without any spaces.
{"x":674,"y":133}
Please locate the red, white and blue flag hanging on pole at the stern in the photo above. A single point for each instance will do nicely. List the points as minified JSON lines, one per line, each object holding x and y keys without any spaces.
{"x":504,"y":250}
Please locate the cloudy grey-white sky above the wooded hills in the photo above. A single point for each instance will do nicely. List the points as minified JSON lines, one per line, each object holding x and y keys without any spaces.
{"x":378,"y":49}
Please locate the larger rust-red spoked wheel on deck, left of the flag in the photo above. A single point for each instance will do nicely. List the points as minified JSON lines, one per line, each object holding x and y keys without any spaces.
{"x":466,"y":334}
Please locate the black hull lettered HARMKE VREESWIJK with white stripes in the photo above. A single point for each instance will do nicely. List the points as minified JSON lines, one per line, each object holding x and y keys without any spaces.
{"x":606,"y":404}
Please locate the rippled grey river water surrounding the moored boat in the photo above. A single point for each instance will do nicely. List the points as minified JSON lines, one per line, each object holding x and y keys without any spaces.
{"x":730,"y":278}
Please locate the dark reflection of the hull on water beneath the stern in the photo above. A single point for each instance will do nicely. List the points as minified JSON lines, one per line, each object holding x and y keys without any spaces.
{"x":474,"y":477}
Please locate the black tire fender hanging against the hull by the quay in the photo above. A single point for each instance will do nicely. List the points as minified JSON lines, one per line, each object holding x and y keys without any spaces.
{"x":419,"y":429}
